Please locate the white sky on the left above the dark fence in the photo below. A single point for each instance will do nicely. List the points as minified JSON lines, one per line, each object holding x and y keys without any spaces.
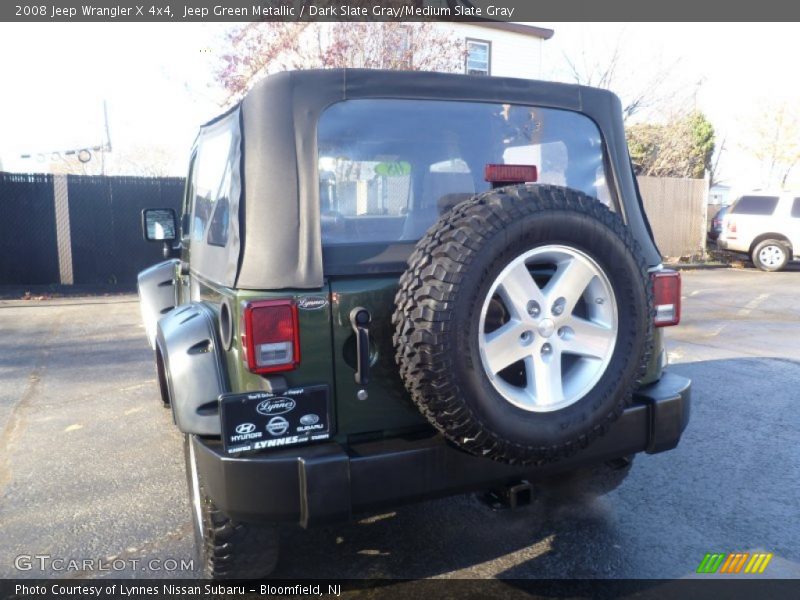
{"x":153,"y":78}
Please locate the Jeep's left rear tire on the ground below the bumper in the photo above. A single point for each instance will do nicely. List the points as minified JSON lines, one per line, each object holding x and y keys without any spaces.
{"x":228,"y":549}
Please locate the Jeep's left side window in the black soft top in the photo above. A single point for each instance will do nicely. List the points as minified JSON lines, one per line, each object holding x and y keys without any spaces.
{"x":212,"y":187}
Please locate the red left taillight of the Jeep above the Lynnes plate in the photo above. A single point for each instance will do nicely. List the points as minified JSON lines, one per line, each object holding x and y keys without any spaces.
{"x":270,"y":336}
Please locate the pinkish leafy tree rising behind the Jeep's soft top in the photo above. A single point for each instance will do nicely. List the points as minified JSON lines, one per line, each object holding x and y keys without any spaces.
{"x":257,"y":49}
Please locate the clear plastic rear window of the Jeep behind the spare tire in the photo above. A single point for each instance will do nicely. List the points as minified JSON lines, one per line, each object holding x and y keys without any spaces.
{"x":389,"y":168}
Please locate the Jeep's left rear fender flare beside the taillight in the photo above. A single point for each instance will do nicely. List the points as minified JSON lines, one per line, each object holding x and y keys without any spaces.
{"x":193,"y":367}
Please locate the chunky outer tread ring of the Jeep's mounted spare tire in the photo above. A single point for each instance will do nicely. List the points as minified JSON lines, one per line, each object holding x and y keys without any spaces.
{"x":424,"y":310}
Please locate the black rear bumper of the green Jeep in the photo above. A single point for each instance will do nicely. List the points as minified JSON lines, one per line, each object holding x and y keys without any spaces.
{"x":328,"y":482}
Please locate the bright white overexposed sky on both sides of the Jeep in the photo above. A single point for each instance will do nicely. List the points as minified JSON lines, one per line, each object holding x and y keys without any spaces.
{"x":156,"y":80}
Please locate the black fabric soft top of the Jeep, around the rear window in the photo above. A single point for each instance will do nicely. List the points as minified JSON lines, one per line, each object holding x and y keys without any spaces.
{"x":279,"y":245}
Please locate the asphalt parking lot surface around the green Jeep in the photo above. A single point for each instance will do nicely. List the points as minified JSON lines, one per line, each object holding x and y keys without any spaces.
{"x":92,"y":467}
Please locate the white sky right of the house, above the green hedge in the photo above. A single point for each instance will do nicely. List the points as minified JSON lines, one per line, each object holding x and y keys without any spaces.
{"x":730,"y":71}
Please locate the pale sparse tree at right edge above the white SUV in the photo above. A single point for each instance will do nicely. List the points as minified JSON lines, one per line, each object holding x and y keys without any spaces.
{"x":775,"y":142}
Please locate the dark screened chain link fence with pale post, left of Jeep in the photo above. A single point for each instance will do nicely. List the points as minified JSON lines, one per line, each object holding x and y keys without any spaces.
{"x":57,"y":229}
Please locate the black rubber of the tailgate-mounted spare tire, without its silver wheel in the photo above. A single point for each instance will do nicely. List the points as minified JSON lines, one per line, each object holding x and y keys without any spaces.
{"x":436,"y":320}
